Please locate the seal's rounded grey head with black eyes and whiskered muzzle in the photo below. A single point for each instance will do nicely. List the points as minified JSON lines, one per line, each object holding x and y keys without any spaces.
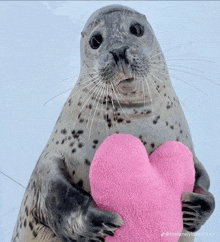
{"x":118,"y":48}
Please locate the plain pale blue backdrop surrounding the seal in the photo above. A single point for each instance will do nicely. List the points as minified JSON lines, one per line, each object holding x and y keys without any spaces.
{"x":39,"y":49}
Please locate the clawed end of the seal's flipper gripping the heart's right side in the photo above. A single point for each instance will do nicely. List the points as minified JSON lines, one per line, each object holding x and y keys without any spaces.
{"x":197,"y":208}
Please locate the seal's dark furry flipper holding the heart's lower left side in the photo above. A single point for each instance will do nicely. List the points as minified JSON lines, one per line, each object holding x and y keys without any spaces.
{"x":70,"y":212}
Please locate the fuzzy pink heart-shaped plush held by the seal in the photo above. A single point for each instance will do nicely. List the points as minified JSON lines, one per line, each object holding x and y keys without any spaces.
{"x":145,"y":191}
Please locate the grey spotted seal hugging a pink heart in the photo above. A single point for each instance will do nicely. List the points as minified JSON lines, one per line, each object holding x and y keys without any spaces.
{"x":123,"y":87}
